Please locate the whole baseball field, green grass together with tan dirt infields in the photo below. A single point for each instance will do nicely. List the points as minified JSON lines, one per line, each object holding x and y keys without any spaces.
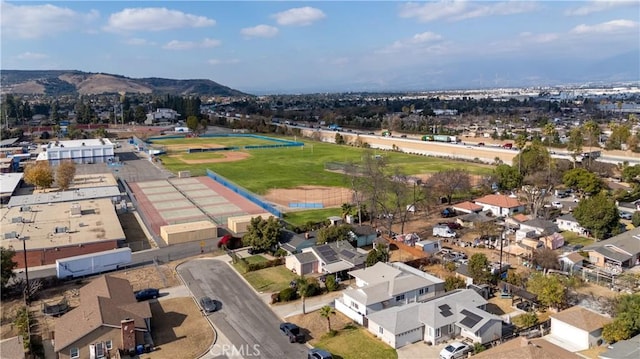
{"x":288,"y":173}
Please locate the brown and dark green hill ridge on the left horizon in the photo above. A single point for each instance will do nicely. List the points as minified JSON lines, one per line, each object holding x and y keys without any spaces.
{"x":72,"y":82}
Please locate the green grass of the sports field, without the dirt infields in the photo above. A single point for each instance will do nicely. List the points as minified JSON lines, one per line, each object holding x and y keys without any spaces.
{"x":266,"y":169}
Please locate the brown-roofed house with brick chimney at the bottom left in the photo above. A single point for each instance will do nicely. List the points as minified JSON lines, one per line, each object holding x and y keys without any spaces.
{"x":108,"y":319}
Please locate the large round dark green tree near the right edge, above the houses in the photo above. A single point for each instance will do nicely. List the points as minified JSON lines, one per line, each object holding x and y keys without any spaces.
{"x":599,"y":215}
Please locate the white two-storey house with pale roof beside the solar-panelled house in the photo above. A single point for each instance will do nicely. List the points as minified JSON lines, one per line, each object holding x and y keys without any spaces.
{"x":386,"y":285}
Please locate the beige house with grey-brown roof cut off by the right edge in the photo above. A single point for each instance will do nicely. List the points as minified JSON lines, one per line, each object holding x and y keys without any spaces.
{"x":616,"y":253}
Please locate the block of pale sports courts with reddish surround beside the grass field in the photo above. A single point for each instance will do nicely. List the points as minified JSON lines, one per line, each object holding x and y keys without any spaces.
{"x":184,"y":200}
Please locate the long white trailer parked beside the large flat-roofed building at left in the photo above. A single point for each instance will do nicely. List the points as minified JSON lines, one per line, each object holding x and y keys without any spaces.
{"x":93,"y":263}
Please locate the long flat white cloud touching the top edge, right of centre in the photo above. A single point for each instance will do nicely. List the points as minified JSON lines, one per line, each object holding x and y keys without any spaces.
{"x":460,"y":10}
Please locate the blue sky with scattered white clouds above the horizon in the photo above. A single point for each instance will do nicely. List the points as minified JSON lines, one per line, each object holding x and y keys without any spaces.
{"x":330,"y":46}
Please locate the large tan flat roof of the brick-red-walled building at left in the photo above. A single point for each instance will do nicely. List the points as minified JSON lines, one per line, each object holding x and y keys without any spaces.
{"x":98,"y":222}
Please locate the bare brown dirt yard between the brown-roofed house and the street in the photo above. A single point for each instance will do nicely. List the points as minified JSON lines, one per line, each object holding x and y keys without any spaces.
{"x":180,"y":330}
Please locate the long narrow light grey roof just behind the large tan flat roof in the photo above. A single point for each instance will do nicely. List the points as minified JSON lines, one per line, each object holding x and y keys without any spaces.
{"x":65,"y":196}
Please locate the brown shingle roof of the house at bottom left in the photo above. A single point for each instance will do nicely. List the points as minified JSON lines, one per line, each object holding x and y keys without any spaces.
{"x":105,"y":301}
